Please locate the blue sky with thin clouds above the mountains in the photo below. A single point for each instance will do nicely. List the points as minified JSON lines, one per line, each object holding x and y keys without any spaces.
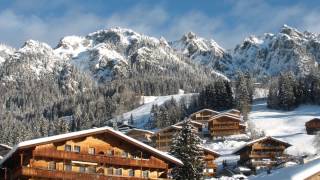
{"x":228,"y":22}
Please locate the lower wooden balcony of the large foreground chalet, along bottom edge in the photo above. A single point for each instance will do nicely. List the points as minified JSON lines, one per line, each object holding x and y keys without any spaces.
{"x":45,"y":173}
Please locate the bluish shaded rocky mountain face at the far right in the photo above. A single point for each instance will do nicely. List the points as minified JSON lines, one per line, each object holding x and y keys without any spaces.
{"x":270,"y":54}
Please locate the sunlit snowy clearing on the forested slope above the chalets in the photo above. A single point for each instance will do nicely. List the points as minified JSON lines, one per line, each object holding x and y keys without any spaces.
{"x":142,"y":113}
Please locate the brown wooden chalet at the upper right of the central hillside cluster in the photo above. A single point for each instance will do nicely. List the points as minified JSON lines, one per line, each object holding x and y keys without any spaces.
{"x":225,"y":124}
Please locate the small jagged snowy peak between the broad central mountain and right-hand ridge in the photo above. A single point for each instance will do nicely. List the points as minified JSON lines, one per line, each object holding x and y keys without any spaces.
{"x":203,"y":51}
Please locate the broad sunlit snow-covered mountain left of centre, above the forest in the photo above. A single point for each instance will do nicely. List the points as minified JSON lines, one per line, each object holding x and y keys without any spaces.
{"x":113,"y":53}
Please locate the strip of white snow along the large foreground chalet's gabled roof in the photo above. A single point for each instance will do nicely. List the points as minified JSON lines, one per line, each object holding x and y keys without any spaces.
{"x":30,"y":143}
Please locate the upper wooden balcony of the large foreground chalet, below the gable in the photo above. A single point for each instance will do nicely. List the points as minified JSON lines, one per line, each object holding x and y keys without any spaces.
{"x":111,"y":160}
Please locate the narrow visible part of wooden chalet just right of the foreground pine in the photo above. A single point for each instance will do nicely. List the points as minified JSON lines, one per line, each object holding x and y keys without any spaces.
{"x":210,"y":167}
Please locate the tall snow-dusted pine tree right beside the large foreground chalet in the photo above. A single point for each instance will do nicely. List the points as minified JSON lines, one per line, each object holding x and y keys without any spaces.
{"x":186,"y":147}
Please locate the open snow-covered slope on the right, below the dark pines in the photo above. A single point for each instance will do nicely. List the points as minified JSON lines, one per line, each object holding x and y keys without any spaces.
{"x":286,"y":125}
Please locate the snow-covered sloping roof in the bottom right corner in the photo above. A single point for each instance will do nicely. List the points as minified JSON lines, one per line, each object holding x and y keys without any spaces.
{"x":297,"y":172}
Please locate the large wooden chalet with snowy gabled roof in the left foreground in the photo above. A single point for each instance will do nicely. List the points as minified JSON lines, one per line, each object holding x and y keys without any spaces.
{"x":100,"y":153}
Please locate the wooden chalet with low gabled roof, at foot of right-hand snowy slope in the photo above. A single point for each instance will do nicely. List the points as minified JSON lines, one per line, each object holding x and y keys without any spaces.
{"x":266,"y":152}
